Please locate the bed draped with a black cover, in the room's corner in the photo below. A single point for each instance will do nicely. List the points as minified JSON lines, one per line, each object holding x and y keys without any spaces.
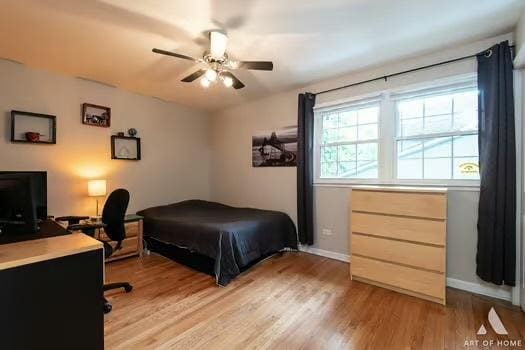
{"x":232,"y":238}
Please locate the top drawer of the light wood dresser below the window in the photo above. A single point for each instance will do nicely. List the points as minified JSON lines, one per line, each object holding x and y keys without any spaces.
{"x":424,"y":204}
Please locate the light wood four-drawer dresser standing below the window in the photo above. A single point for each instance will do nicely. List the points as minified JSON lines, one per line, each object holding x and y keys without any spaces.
{"x":398,"y":239}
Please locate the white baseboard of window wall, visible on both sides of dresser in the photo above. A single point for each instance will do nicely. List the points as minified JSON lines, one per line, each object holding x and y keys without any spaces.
{"x":471,"y":287}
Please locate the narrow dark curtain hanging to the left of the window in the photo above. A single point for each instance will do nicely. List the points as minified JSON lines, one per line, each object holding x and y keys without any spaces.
{"x":305,"y":168}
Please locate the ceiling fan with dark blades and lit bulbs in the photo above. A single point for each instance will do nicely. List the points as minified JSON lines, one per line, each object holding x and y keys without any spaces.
{"x":217,"y":64}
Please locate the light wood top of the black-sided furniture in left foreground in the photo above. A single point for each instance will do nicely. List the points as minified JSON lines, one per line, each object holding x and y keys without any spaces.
{"x":28,"y":252}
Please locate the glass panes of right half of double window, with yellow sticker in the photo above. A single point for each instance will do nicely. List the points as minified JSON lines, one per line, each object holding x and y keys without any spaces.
{"x":437,"y":136}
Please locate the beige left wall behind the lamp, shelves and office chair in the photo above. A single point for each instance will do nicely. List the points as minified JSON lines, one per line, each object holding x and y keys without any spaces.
{"x":175,"y":152}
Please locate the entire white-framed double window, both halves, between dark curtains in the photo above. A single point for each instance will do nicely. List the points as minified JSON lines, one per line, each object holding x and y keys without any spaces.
{"x":428,"y":135}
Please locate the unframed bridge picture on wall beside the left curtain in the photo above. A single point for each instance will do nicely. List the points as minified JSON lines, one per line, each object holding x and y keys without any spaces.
{"x":275,"y":148}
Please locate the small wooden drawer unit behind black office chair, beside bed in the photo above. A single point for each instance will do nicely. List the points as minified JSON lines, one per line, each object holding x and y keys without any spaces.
{"x":132,"y":245}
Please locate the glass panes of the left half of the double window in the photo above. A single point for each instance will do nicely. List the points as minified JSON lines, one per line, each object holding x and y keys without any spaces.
{"x":349,"y":143}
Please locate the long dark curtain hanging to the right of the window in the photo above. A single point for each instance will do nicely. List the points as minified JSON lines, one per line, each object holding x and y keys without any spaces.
{"x":496,"y":256}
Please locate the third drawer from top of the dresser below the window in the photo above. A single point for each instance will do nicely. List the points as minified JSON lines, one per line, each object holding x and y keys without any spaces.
{"x":411,"y":254}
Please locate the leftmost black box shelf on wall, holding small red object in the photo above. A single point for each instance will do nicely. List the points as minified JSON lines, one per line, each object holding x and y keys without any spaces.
{"x":27,"y":127}
